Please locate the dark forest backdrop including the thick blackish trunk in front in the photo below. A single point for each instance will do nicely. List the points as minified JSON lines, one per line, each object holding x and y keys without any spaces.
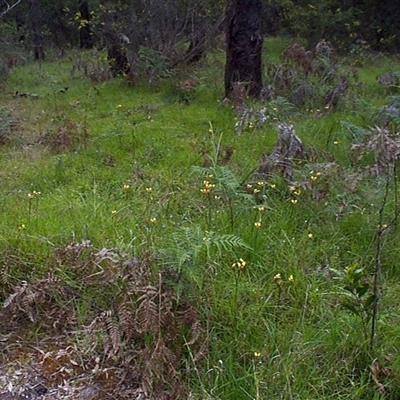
{"x":166,"y":34}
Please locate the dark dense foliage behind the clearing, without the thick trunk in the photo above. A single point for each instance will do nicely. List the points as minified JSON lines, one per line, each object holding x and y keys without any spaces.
{"x":167,"y":26}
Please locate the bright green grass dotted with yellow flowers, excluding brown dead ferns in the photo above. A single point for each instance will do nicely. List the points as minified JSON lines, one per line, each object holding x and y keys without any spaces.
{"x":128,"y":175}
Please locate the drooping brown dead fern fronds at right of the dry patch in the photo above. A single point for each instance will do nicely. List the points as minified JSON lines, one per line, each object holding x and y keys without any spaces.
{"x":148,"y":324}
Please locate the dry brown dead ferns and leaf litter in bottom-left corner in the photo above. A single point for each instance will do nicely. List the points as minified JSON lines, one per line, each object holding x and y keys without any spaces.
{"x":136,"y":344}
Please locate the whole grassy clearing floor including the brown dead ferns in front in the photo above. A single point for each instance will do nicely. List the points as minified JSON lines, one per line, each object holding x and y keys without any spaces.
{"x":136,"y":252}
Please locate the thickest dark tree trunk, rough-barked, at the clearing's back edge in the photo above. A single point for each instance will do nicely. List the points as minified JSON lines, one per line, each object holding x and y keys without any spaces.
{"x":244,"y":46}
